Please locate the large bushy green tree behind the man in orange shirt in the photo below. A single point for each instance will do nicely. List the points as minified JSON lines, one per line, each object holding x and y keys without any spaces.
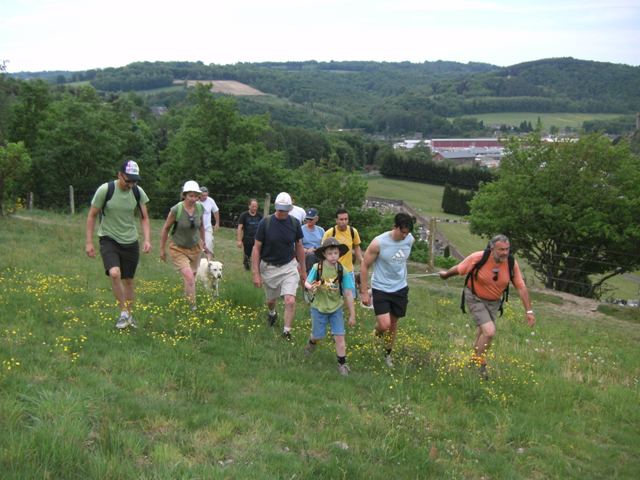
{"x":570,"y":208}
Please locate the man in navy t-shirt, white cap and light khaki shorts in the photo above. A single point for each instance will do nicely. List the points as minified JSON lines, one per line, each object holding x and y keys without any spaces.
{"x":277,"y":260}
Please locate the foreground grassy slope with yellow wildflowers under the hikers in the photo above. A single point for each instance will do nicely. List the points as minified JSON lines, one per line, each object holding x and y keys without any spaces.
{"x":219,"y":395}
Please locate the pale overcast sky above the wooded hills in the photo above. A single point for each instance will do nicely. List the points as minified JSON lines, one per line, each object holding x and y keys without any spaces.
{"x":39,"y":35}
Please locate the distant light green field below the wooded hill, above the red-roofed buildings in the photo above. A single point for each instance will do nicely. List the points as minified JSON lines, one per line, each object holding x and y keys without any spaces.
{"x":560,"y":120}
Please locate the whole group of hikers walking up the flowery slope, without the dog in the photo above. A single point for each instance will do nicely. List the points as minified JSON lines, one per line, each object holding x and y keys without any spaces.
{"x":288,"y":249}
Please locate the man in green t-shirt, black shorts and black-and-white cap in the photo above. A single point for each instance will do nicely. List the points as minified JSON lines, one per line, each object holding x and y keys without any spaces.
{"x":118,"y":235}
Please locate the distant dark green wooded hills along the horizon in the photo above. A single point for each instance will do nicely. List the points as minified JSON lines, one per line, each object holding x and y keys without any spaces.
{"x":388,"y":98}
